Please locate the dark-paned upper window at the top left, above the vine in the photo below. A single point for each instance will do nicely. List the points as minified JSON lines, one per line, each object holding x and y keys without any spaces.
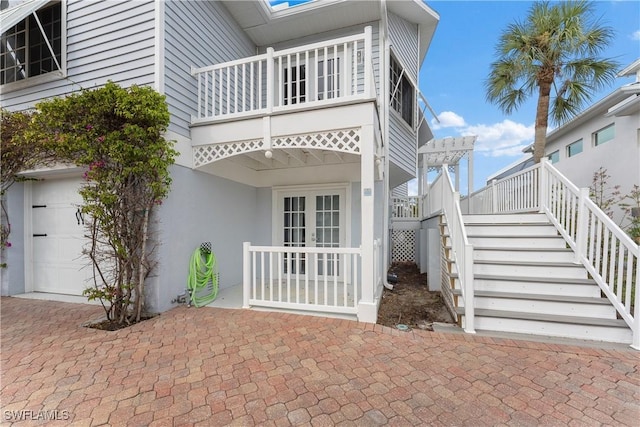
{"x":24,"y":50}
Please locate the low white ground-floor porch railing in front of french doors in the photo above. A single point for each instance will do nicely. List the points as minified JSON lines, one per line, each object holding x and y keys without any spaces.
{"x":302,"y":278}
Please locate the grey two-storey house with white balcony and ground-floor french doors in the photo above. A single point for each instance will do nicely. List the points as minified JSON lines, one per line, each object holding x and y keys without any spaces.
{"x":293,"y":126}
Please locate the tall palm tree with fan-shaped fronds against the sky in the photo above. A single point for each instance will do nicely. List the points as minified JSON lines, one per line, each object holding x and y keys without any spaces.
{"x":556,"y":49}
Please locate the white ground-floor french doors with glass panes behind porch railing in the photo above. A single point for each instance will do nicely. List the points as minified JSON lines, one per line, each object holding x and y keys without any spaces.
{"x":313,"y":219}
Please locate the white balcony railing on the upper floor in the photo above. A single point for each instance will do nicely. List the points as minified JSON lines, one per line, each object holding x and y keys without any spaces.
{"x":339,"y":70}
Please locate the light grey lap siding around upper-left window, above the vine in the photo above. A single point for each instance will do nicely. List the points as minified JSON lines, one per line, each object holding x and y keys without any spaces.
{"x":106,"y":40}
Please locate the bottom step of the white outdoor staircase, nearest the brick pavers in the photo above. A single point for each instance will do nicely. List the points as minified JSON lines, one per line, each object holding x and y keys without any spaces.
{"x":554,"y":325}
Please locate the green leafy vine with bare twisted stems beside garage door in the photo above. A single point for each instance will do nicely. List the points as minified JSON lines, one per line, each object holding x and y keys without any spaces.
{"x":116,"y":134}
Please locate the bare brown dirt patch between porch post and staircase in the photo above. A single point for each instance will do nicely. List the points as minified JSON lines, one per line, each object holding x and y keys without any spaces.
{"x":410,"y":302}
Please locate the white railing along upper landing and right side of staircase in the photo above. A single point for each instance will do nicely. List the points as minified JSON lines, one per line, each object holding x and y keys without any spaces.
{"x":608,"y":253}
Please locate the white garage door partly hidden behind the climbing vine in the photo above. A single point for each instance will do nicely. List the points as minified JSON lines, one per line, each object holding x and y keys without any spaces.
{"x":58,"y":238}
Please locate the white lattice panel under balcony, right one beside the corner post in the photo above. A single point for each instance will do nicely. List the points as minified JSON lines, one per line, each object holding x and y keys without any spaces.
{"x":347,"y":141}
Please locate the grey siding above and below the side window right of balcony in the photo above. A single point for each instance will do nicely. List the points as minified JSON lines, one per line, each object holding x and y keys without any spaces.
{"x":402,"y":140}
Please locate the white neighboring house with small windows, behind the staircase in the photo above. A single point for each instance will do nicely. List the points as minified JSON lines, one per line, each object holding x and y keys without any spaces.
{"x":607,"y":135}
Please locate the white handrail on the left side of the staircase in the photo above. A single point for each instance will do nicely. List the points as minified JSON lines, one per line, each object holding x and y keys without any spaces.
{"x":462,"y":250}
